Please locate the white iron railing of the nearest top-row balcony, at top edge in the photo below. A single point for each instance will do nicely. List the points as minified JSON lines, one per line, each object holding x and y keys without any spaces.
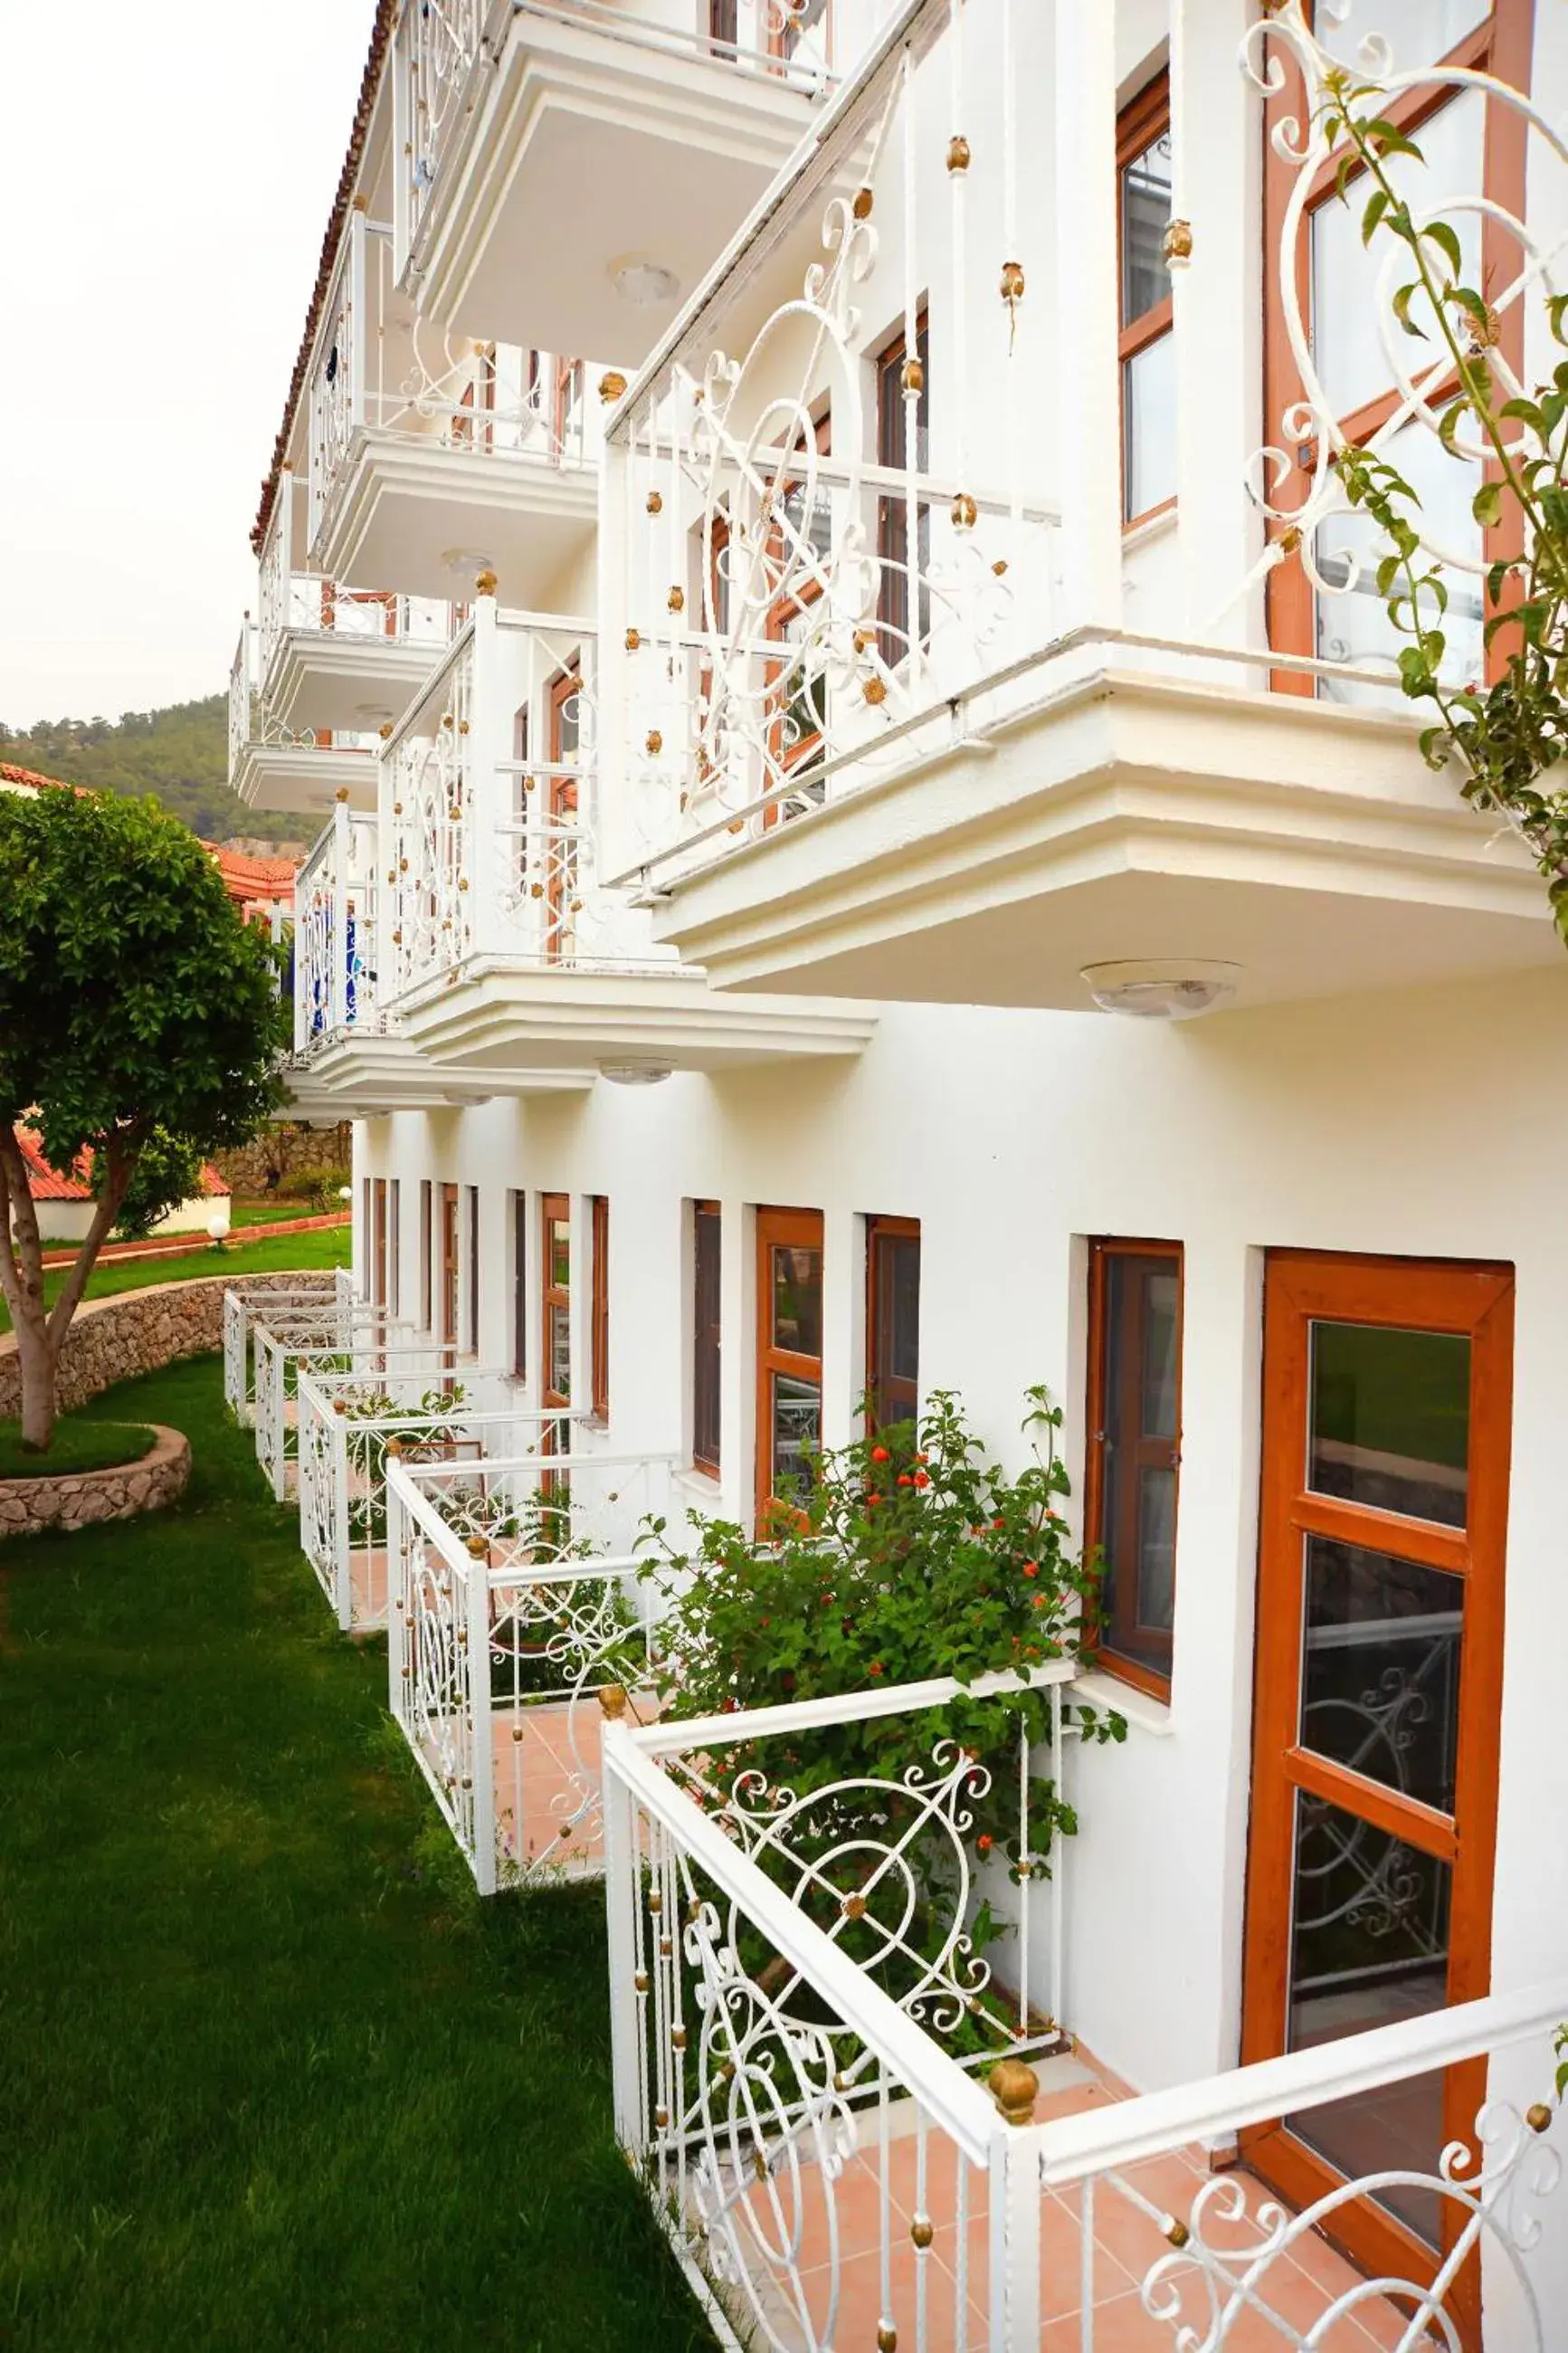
{"x":448,"y":48}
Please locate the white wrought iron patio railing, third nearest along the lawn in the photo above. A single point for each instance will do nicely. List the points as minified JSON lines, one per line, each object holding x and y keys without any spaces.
{"x":351,"y":1425}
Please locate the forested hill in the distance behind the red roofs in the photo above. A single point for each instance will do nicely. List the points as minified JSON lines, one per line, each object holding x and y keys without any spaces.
{"x":180,"y":756}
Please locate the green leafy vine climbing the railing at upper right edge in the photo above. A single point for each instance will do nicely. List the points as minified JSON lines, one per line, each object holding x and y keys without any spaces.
{"x":1510,"y":735}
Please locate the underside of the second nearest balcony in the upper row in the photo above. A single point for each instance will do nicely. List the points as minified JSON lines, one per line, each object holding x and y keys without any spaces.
{"x":429,"y":519}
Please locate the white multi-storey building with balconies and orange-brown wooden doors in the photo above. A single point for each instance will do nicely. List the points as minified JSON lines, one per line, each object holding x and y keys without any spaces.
{"x":681,"y":928}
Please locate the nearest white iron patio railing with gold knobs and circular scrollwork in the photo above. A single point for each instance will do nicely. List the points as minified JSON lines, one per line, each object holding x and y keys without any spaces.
{"x":791,"y":1994}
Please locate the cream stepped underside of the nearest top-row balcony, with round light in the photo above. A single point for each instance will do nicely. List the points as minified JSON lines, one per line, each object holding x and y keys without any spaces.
{"x":662,"y":152}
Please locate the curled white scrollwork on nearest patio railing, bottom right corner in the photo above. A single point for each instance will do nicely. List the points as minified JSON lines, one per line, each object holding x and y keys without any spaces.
{"x":1217,"y":2284}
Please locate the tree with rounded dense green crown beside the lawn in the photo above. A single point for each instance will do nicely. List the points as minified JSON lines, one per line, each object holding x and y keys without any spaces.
{"x":133,"y":999}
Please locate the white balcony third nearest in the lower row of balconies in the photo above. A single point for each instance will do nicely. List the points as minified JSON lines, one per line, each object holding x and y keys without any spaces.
{"x":351,"y":1055}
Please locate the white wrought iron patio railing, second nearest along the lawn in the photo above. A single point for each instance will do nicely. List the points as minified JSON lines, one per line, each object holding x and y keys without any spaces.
{"x":516,"y":1629}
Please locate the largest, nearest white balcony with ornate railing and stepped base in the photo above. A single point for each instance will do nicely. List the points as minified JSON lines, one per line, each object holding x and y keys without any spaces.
{"x":958,"y":728}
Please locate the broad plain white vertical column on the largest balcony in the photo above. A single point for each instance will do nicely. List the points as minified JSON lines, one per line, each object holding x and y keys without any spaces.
{"x":1087,"y":312}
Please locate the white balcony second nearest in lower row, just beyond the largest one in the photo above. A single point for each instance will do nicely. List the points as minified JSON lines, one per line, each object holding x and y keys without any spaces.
{"x":507,"y":954}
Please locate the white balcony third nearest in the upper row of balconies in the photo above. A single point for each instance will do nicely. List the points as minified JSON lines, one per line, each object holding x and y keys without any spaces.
{"x":335,"y":658}
